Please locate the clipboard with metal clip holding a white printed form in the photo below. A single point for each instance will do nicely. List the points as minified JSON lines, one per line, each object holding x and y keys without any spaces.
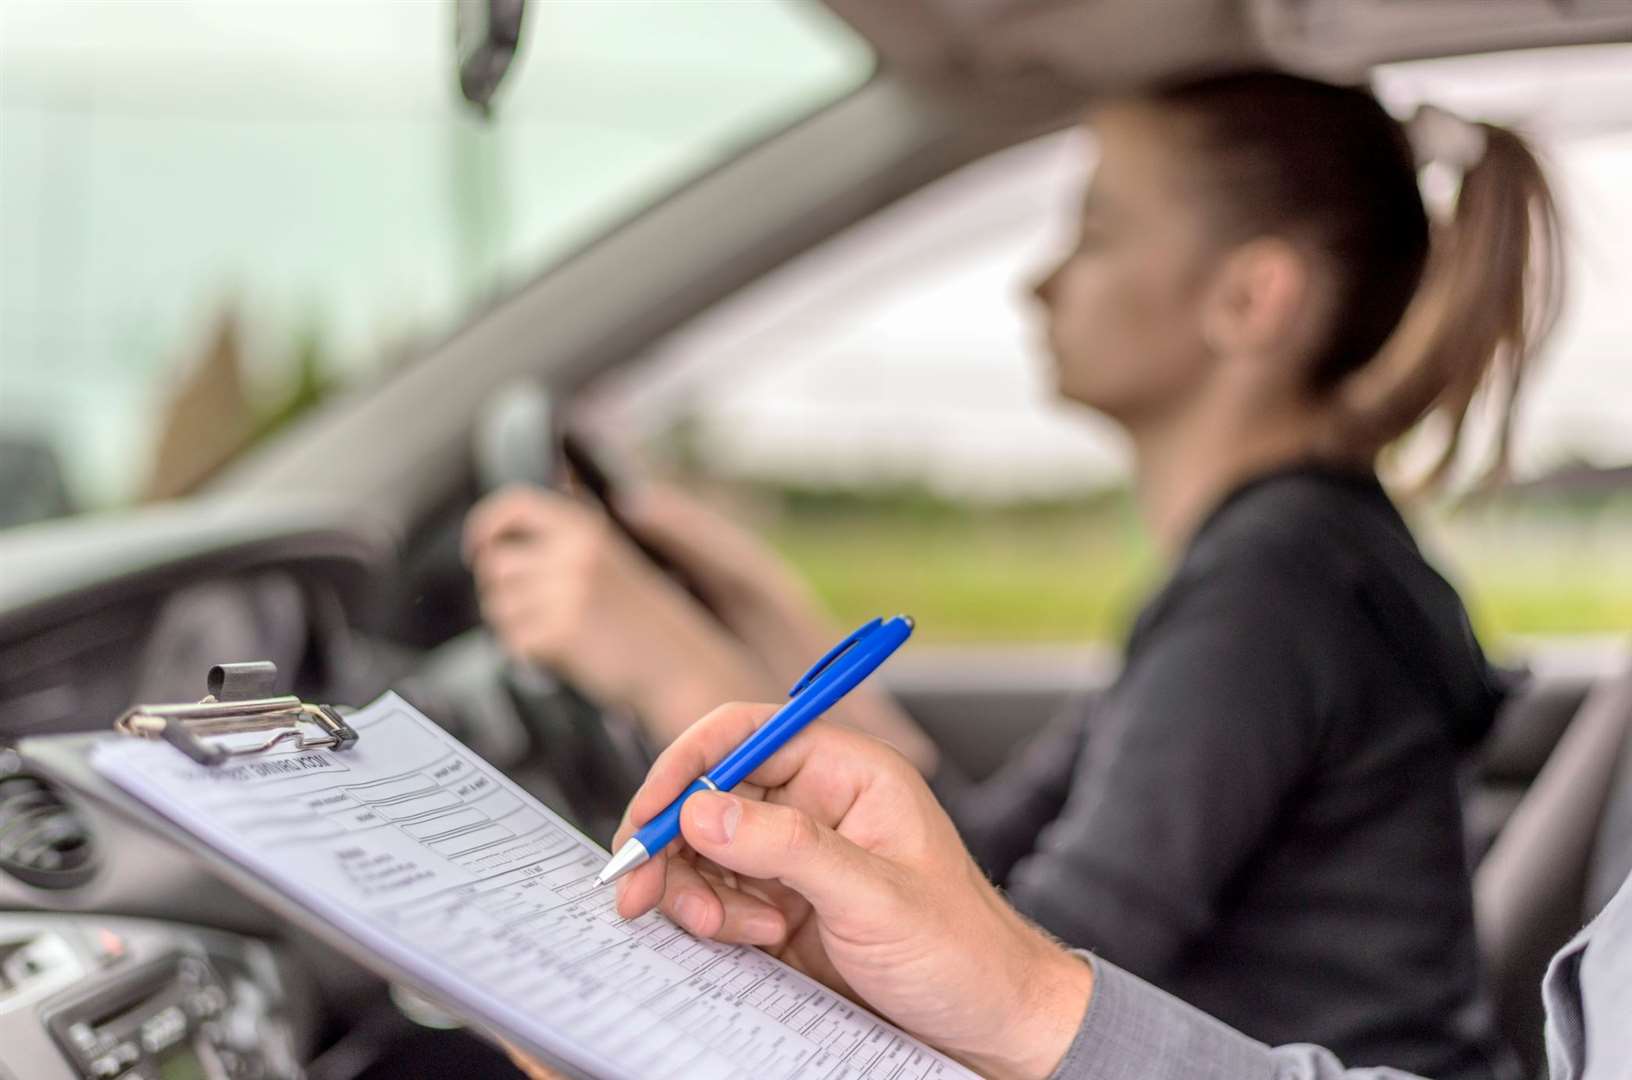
{"x":745,"y":986}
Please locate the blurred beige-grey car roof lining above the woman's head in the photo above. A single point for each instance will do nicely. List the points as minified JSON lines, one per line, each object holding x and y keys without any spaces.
{"x":1104,"y":45}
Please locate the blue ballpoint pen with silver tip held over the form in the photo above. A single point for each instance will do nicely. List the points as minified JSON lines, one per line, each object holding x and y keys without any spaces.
{"x":836,"y":675}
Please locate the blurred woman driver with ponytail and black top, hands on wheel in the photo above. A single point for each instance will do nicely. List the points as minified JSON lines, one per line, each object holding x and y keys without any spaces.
{"x":1262,"y":813}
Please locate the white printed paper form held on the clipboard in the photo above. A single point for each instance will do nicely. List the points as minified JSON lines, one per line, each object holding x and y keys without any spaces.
{"x":419,"y":851}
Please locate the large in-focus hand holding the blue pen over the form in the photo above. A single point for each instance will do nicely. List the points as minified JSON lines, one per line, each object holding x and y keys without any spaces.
{"x":840,"y":861}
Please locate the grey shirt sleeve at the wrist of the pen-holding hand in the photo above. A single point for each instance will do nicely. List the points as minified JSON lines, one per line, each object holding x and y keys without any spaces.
{"x":1135,"y":1032}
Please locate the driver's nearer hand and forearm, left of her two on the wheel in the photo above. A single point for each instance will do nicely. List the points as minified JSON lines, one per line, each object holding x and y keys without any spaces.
{"x":561,"y":586}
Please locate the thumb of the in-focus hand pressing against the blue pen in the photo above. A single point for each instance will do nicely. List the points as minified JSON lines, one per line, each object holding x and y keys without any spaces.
{"x":781,"y":843}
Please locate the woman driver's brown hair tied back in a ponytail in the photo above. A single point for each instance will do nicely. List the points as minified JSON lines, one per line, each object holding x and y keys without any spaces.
{"x":1426,"y":316}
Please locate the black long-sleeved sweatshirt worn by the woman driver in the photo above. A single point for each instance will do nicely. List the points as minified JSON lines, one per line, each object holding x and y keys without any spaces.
{"x":1262,"y":815}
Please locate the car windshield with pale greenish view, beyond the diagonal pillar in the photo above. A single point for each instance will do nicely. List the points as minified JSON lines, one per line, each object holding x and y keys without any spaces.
{"x":211,"y":215}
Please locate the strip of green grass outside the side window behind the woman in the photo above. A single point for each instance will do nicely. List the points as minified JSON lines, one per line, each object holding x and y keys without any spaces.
{"x":1080,"y":575}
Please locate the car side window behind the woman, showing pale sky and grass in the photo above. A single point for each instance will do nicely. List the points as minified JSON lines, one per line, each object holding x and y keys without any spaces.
{"x":884,"y":409}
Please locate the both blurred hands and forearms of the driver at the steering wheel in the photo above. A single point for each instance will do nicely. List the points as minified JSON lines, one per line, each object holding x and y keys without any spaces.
{"x":561,"y":586}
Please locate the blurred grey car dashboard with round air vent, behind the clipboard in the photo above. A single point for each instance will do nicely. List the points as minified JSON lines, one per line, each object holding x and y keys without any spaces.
{"x":120,"y":957}
